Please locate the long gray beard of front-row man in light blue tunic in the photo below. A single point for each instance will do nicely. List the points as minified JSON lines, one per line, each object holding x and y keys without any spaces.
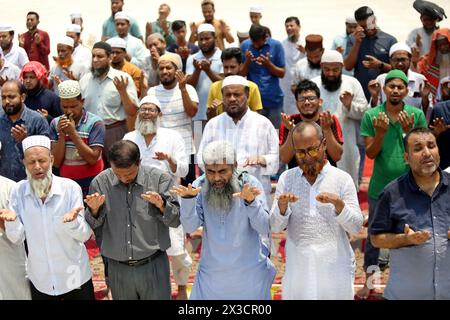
{"x":221,"y":199}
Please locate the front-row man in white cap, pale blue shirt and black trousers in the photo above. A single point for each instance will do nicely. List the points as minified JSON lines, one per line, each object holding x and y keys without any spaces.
{"x":48,"y":212}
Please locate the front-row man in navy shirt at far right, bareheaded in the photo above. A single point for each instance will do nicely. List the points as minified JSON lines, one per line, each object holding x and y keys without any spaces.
{"x":412,"y":220}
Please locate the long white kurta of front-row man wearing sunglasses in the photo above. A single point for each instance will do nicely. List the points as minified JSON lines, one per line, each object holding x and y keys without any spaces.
{"x":320,"y":262}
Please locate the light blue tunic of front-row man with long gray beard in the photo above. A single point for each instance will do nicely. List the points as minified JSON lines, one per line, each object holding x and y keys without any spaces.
{"x":234,"y":262}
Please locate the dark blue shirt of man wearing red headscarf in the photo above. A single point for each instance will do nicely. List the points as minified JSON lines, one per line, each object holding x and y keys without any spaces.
{"x":44,"y":99}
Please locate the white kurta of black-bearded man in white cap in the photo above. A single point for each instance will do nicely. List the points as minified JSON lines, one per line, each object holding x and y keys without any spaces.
{"x":348,"y":119}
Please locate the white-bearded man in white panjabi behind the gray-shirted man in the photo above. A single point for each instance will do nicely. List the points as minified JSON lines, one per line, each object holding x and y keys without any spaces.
{"x":164,"y":149}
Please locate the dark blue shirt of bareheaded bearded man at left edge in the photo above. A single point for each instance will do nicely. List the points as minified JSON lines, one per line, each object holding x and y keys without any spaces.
{"x":11,"y":153}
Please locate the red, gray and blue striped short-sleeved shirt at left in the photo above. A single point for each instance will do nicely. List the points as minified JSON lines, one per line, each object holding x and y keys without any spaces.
{"x":91,"y":130}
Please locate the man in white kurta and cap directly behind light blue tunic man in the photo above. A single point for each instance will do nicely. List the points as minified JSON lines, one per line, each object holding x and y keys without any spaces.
{"x":252,"y":135}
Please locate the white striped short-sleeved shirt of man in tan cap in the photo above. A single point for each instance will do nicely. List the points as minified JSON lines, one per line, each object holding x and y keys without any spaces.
{"x":174,"y":116}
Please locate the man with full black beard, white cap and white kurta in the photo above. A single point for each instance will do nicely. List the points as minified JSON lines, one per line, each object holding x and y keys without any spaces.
{"x":344,"y":97}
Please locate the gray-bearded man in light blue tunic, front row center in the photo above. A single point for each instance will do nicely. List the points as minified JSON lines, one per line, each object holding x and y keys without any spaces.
{"x":231,"y":207}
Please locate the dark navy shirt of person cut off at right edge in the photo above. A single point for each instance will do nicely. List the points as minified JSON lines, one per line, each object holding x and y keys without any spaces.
{"x":442,"y":110}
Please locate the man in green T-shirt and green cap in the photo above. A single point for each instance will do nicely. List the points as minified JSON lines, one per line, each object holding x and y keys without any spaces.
{"x":383,"y":129}
